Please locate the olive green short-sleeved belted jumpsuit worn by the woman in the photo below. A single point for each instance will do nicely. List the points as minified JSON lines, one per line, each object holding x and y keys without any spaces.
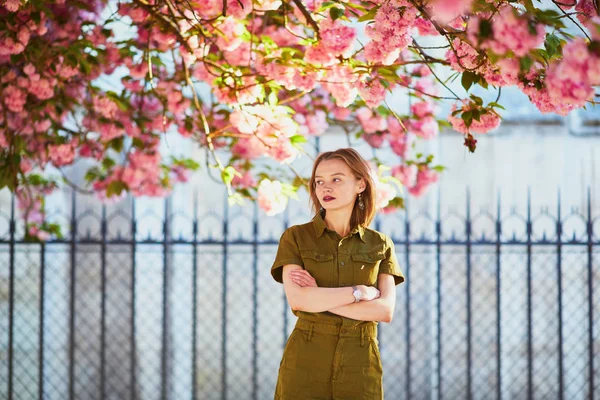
{"x":328,"y":356}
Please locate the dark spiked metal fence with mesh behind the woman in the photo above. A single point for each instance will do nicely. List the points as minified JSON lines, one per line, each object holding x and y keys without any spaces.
{"x":170,"y":304}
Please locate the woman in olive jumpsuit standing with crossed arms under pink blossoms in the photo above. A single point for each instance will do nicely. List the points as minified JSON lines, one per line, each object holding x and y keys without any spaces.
{"x":339,"y":278}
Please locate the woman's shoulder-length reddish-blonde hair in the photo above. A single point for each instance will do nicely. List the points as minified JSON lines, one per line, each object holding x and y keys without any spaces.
{"x":361,"y":169}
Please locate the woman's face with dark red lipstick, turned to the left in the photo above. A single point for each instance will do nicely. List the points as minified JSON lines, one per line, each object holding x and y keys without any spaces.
{"x":336,"y":186}
